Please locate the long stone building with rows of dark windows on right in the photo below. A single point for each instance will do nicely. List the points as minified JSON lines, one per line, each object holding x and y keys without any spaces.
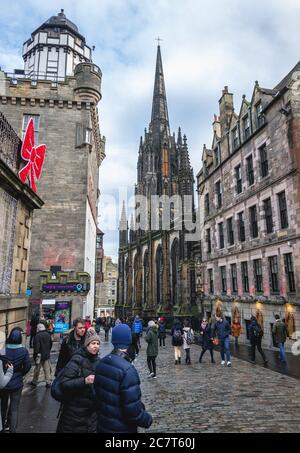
{"x":249,"y":202}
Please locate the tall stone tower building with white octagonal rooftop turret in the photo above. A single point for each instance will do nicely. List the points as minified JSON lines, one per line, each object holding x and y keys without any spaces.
{"x":63,"y":104}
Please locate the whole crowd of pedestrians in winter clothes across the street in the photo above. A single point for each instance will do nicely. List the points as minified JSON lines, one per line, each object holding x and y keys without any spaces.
{"x":103,"y":394}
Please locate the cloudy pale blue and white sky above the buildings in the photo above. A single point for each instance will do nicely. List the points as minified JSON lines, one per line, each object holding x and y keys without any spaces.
{"x":206,"y":44}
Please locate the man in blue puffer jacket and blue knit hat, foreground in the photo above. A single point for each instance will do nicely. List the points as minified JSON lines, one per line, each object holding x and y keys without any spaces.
{"x":117,"y":387}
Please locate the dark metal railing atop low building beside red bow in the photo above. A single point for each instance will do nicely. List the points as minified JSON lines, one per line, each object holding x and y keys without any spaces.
{"x":10,"y":144}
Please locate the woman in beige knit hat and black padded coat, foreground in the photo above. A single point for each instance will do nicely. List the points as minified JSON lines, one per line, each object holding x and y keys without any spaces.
{"x":79,"y":407}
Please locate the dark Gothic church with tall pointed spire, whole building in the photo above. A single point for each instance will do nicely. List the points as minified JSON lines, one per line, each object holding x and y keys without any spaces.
{"x":156,"y":271}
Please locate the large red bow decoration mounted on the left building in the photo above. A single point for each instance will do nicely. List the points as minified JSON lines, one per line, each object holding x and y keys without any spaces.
{"x":34,"y":155}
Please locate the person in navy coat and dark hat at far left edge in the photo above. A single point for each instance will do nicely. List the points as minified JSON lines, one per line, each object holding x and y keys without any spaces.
{"x":11,"y":394}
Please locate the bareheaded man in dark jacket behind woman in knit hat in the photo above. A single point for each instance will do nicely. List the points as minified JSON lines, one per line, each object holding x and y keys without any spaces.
{"x":71,"y":344}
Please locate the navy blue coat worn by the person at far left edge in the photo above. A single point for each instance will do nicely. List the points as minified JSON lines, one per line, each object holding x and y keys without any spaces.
{"x":19,"y":357}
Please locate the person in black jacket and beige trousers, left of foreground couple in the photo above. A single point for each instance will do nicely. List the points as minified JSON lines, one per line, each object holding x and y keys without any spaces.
{"x":41,"y":355}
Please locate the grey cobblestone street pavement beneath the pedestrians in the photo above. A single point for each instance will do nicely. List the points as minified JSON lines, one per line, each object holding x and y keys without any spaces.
{"x":191,"y":399}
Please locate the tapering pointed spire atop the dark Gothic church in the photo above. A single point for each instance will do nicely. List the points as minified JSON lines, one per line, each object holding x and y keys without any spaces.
{"x":159,"y":118}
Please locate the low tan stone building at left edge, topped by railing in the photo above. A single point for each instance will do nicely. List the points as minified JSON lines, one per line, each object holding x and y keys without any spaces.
{"x":17,"y":203}
